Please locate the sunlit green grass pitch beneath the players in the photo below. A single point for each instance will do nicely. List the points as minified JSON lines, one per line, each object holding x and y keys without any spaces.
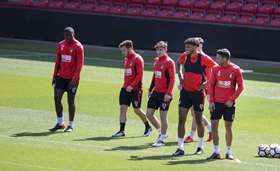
{"x":27,"y":111}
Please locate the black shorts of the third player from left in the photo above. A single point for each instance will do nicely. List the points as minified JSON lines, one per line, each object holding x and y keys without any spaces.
{"x":157,"y":101}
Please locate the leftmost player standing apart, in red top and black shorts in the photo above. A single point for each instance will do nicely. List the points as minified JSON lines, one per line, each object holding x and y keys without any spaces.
{"x":66,"y":76}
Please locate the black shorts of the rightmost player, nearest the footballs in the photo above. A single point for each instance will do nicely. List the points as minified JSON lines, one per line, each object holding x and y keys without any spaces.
{"x":221,"y":109}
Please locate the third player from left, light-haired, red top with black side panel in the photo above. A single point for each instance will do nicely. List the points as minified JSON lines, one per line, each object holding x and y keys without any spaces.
{"x":160,"y":91}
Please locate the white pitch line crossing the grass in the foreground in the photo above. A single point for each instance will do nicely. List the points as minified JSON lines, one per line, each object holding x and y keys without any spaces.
{"x":150,"y":152}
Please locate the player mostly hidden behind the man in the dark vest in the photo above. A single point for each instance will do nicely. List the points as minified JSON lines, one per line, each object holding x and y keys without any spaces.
{"x":206,"y":123}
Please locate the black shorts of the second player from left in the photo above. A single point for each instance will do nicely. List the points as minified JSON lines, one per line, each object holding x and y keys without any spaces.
{"x":134,"y":97}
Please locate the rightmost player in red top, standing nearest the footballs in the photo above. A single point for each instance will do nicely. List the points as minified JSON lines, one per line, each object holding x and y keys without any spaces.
{"x":223,"y":95}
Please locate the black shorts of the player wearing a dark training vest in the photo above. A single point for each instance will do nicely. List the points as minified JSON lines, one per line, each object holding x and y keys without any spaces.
{"x":189,"y":99}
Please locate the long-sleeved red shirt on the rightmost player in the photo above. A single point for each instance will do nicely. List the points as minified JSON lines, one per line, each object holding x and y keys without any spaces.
{"x":222,"y":85}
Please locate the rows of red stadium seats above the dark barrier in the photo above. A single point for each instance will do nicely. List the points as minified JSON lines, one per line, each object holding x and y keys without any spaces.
{"x":244,"y":12}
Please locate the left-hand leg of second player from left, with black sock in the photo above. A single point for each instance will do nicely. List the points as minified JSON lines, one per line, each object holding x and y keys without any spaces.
{"x":124,"y":103}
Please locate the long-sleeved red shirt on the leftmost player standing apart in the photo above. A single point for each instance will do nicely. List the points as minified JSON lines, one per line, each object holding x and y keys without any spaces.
{"x":69,"y":60}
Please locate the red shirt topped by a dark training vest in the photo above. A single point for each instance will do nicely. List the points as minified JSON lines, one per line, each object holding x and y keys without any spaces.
{"x":195,"y":70}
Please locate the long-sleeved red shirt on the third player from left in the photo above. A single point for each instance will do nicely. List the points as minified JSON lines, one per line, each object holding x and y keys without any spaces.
{"x":164,"y":75}
